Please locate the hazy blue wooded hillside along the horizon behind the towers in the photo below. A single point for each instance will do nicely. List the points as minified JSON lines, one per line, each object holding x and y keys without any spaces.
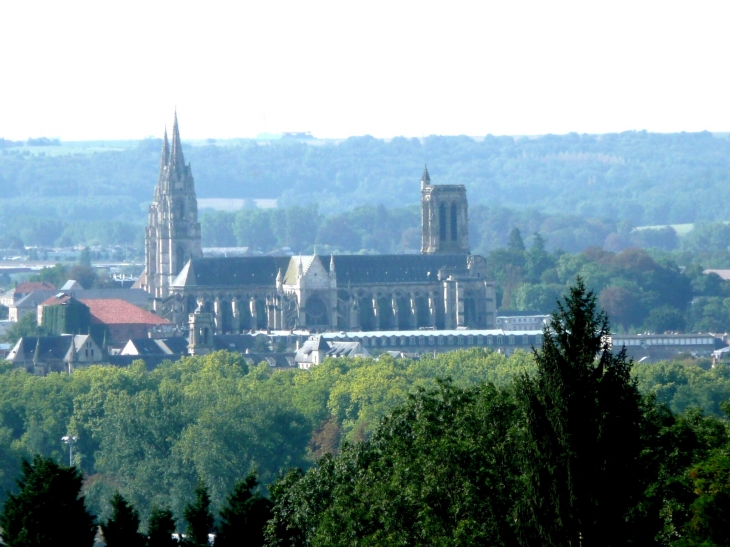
{"x":649,"y":179}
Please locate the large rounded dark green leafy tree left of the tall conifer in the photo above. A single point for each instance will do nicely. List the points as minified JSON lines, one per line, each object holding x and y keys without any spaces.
{"x":436,"y":472}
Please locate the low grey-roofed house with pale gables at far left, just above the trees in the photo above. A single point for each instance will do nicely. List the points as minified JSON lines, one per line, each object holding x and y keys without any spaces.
{"x":63,"y":353}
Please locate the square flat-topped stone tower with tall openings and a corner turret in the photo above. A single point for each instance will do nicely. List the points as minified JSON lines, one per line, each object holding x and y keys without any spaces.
{"x":444,"y":218}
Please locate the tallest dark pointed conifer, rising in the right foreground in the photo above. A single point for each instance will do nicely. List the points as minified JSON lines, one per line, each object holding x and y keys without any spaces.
{"x":583,"y":433}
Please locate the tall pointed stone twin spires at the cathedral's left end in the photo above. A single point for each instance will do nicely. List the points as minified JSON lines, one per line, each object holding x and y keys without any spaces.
{"x":173,"y":232}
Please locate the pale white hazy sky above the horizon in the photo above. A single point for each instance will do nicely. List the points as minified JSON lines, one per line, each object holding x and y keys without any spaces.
{"x":108,"y":69}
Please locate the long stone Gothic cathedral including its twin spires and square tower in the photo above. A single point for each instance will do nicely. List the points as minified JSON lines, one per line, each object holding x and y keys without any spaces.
{"x":444,"y":287}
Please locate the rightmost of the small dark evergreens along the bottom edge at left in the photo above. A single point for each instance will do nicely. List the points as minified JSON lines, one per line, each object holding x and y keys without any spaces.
{"x":244,"y":518}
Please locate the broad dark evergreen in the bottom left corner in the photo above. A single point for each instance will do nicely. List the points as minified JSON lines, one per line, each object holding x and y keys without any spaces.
{"x":49,"y":509}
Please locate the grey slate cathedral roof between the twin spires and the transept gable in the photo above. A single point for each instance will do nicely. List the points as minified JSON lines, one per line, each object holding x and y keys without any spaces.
{"x":232,"y":271}
